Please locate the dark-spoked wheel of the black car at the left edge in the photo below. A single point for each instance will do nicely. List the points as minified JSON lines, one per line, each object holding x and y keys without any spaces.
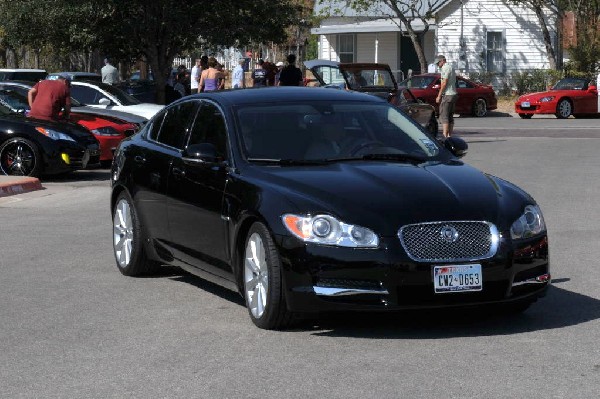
{"x":20,"y":157}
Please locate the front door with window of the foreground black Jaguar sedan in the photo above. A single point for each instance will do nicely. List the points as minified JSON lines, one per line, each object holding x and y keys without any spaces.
{"x":196,"y":198}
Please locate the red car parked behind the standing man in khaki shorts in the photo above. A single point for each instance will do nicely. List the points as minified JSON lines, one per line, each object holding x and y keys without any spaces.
{"x":473,"y":98}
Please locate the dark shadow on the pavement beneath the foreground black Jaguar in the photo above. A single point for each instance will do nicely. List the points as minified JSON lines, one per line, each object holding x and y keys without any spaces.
{"x":560,"y":308}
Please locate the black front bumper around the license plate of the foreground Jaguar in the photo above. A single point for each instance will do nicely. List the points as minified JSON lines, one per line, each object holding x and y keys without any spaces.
{"x":318,"y":278}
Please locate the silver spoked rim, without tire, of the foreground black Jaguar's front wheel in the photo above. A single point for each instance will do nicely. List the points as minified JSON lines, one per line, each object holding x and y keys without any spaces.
{"x":256,"y":275}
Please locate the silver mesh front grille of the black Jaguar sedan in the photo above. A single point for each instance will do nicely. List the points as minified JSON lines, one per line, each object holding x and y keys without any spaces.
{"x":449,"y":241}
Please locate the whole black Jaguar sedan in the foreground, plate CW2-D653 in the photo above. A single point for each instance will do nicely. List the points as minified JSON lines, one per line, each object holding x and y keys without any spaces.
{"x":309,"y":199}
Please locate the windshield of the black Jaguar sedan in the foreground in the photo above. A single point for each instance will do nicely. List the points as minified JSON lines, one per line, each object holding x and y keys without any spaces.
{"x":326,"y":131}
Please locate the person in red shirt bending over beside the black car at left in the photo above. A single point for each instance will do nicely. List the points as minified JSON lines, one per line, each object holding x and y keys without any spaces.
{"x":48,"y":97}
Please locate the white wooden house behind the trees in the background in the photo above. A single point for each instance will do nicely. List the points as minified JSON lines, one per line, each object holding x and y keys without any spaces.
{"x":497,"y":37}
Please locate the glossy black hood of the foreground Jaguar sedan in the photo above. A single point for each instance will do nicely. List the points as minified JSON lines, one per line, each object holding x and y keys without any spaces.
{"x":385,"y":196}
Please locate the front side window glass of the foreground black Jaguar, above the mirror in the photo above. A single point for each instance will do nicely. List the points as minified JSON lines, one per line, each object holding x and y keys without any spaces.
{"x":210,"y":128}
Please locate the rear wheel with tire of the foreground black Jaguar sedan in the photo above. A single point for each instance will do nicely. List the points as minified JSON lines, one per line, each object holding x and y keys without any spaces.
{"x":128,"y":246}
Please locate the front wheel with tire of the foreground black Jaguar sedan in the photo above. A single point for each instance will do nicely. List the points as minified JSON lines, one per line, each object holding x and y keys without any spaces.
{"x":263,"y":281}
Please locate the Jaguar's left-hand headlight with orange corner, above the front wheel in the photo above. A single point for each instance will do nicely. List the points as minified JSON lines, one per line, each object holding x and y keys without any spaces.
{"x":327,"y":230}
